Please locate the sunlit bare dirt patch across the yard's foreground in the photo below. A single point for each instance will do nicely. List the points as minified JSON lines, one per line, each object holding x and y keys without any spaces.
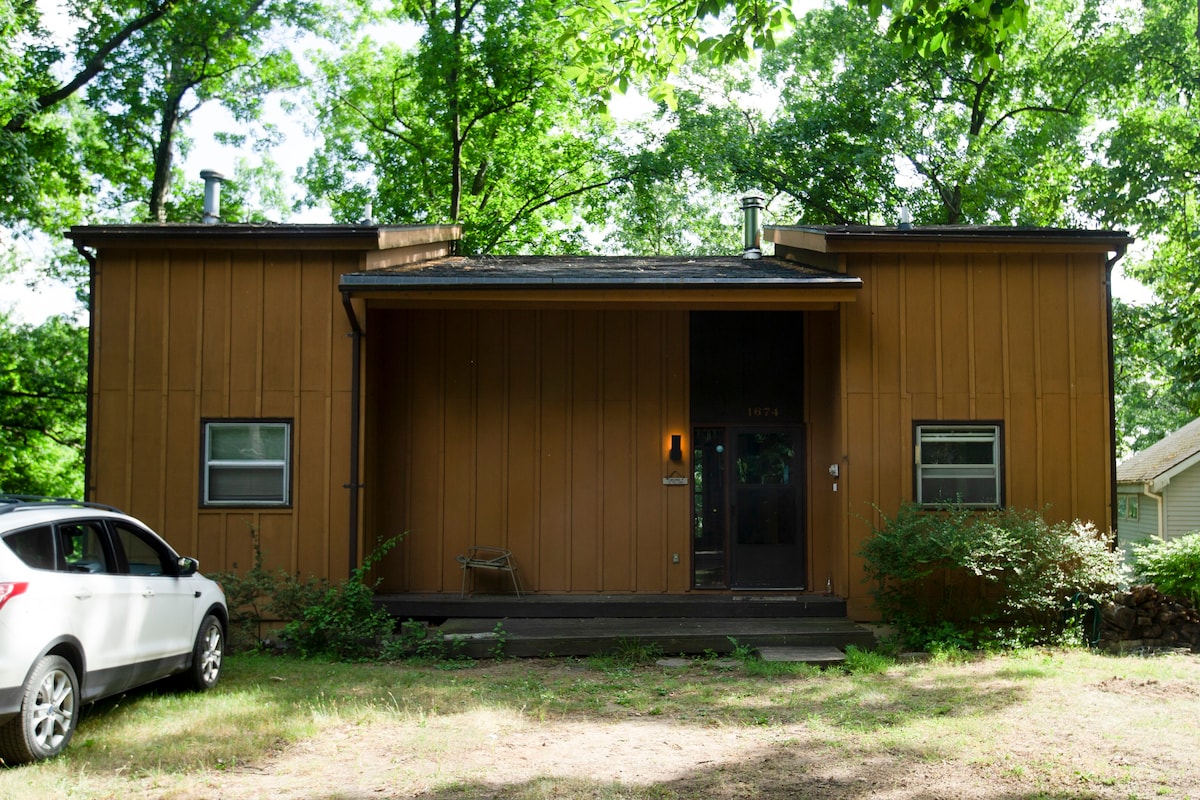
{"x":1101,"y":737}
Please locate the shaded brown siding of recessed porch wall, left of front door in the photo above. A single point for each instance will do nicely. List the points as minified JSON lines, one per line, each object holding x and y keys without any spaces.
{"x":544,"y":432}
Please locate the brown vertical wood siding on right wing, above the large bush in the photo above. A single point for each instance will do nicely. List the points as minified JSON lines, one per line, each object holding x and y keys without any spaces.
{"x":1017,"y":340}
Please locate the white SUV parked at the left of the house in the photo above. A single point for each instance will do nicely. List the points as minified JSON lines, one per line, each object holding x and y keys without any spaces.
{"x":93,"y":604}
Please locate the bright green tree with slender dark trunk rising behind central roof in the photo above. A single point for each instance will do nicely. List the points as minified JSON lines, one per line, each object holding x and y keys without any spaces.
{"x":477,"y":125}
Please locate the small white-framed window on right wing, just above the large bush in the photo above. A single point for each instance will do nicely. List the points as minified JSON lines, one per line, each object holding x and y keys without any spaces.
{"x":958,"y":464}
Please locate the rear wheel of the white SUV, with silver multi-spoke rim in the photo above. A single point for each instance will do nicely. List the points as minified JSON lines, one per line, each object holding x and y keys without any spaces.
{"x":50,"y":712}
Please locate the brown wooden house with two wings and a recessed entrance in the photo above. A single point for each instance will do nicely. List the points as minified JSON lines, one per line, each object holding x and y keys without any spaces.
{"x":625,"y":426}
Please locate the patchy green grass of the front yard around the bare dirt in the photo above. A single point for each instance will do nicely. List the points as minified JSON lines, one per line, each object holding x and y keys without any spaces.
{"x":981,"y":712}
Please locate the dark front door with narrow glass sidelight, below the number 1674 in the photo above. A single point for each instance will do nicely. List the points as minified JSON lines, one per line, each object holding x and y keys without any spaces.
{"x":748,"y":530}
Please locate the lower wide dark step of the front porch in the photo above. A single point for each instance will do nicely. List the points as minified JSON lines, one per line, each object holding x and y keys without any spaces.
{"x":583,"y":637}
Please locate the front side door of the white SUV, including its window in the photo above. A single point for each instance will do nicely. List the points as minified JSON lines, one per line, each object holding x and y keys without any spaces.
{"x":163,"y":604}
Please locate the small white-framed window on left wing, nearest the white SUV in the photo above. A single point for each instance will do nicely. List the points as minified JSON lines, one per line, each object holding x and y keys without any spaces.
{"x":248,"y":464}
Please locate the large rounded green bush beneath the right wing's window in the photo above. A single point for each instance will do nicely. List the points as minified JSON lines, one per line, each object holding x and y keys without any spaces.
{"x":995,"y":579}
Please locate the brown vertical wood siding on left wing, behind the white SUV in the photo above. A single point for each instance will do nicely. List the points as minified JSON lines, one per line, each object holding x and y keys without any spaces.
{"x":190,"y":334}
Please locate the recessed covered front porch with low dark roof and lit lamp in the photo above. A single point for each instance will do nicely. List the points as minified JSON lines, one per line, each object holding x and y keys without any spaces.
{"x":625,"y":428}
